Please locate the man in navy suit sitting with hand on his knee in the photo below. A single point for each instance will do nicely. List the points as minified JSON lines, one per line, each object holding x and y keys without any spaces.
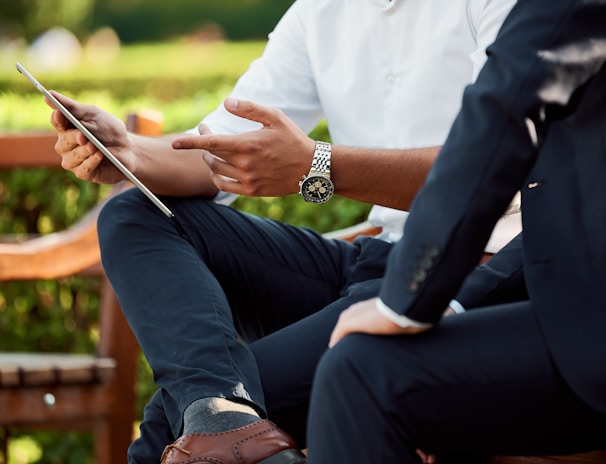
{"x":527,"y":373}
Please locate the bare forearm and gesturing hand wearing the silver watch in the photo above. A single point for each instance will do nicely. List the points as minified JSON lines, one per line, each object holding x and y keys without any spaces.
{"x":272,"y":160}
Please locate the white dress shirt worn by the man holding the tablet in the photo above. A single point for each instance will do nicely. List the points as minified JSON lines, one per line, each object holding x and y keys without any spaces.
{"x":384,"y":74}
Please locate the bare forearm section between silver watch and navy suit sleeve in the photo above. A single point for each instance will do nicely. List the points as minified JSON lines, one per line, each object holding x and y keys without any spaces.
{"x":381,"y":176}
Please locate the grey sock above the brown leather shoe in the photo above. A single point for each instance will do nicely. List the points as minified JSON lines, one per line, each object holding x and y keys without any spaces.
{"x":211,"y":415}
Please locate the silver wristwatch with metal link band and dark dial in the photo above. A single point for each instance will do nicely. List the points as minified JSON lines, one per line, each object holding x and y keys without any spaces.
{"x":316,"y":186}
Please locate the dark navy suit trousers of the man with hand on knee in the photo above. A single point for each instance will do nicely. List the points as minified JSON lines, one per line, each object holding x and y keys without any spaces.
{"x":478,"y":384}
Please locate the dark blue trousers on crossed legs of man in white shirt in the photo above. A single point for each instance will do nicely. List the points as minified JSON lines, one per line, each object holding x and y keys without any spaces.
{"x":194,"y":289}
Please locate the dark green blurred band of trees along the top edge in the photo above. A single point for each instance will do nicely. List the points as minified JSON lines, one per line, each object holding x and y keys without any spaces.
{"x":143,"y":20}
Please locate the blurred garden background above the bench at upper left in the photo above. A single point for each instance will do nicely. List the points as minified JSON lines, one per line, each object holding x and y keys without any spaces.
{"x":131,"y":52}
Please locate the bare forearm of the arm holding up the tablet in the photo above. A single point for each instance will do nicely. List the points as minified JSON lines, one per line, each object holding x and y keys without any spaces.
{"x":167,"y":171}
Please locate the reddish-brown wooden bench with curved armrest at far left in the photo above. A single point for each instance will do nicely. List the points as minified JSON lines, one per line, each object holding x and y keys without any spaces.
{"x":61,"y":391}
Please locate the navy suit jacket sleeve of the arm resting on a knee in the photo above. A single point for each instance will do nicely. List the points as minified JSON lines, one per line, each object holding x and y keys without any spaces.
{"x":542,"y":58}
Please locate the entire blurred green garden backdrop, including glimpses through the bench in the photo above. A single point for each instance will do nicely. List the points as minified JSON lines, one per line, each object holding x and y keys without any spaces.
{"x":179,"y":58}
